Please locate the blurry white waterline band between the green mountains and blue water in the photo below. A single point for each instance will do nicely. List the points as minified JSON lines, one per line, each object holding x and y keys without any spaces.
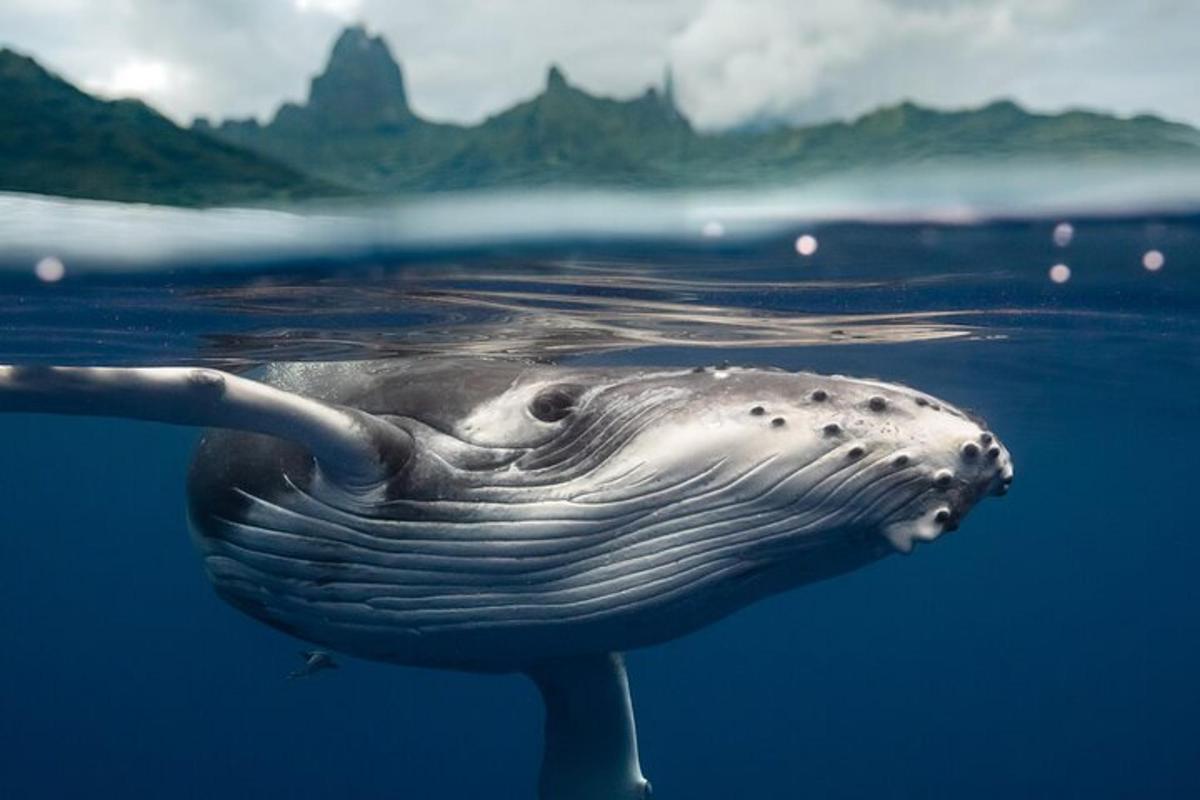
{"x":113,"y":237}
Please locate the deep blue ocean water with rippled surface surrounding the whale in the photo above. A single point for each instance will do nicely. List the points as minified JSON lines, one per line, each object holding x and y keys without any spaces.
{"x":1048,"y":649}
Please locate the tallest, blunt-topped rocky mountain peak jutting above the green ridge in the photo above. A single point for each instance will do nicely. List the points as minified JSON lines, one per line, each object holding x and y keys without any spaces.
{"x":362,"y":88}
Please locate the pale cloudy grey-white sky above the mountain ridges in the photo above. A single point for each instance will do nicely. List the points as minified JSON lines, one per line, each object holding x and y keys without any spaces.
{"x":735,"y":62}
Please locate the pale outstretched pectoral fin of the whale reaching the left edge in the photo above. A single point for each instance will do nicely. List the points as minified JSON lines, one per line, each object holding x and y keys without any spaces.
{"x":352,"y":448}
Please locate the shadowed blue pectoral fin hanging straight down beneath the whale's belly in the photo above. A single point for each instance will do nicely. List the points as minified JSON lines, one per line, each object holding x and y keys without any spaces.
{"x":591,"y":751}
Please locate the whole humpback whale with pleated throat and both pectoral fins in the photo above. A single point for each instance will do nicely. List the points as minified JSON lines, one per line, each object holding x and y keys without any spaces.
{"x":500,"y":516}
